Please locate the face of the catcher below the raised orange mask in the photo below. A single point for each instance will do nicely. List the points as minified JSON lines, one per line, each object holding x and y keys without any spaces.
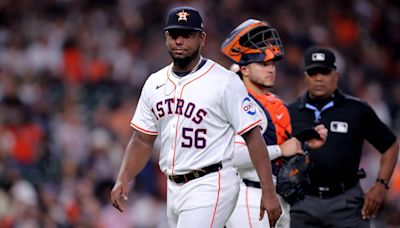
{"x":261,"y":74}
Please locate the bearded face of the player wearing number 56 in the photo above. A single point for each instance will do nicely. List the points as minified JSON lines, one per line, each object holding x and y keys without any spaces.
{"x":184,"y":45}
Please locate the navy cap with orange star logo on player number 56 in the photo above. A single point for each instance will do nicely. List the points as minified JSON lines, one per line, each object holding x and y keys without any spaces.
{"x":184,"y":18}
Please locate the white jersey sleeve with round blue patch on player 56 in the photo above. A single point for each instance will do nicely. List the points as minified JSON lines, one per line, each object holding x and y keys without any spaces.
{"x":239,"y":108}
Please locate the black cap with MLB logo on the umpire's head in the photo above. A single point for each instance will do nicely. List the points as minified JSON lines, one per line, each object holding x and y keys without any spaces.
{"x":319,"y":58}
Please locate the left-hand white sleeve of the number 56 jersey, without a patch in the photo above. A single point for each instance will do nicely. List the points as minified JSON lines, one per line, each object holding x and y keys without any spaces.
{"x":144,"y":120}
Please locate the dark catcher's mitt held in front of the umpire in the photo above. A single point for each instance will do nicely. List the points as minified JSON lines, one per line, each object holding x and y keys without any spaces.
{"x":293,"y":178}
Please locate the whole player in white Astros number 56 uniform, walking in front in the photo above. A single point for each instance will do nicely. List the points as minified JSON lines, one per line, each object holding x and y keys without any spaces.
{"x":196,"y":107}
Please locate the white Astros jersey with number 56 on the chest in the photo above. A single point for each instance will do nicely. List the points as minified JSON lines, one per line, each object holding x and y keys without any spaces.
{"x":195,"y":116}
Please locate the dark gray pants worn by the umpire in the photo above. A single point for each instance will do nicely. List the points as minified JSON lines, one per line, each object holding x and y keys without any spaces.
{"x":340,"y":211}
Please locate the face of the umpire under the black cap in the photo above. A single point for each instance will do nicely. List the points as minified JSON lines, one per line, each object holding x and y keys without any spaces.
{"x":321,"y":82}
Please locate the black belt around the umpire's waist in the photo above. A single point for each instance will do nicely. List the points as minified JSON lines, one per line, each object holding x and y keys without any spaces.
{"x":324,"y":192}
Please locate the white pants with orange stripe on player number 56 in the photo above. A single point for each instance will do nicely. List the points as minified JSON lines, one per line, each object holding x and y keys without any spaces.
{"x":207,"y":201}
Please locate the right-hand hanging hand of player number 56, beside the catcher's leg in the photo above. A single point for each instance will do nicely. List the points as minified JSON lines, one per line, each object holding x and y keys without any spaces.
{"x":270,"y":203}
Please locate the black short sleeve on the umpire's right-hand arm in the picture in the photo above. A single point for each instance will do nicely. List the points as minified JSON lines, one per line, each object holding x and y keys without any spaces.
{"x":376,"y":132}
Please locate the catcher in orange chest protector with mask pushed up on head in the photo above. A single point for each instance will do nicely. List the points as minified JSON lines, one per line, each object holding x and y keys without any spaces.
{"x":255,"y":47}
